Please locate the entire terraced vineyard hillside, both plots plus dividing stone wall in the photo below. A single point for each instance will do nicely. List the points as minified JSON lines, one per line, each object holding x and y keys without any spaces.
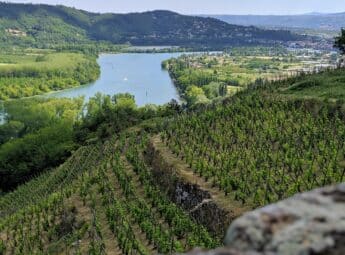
{"x":171,"y":184}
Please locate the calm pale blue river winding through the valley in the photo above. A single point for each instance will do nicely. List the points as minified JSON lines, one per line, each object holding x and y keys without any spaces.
{"x":139,"y":74}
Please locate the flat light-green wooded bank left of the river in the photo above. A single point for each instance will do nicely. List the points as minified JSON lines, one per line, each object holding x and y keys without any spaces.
{"x":35,"y":74}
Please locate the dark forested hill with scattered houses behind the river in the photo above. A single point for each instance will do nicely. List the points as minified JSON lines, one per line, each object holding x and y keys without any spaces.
{"x":44,"y":25}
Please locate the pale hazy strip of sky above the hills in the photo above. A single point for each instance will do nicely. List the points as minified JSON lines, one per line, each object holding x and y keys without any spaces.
{"x":204,"y":6}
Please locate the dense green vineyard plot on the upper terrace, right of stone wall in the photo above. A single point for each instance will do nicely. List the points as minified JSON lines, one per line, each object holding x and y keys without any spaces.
{"x":258,"y":150}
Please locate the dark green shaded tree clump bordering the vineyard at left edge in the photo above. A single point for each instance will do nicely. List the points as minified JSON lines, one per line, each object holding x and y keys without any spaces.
{"x":25,"y":157}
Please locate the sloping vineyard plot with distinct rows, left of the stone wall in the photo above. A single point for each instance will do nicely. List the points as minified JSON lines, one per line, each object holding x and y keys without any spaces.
{"x":102,"y":201}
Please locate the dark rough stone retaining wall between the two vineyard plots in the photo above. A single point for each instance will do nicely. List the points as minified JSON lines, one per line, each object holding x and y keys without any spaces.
{"x":195,"y":200}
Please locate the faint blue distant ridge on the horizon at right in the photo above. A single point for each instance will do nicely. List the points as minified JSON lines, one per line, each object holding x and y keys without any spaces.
{"x":325,"y":21}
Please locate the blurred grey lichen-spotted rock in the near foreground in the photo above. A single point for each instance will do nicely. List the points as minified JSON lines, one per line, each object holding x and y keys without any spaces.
{"x":309,"y":223}
